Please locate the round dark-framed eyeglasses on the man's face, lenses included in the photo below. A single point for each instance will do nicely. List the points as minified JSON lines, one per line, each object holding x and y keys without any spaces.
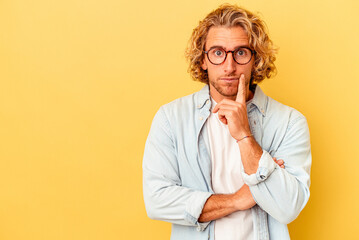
{"x":241,"y":55}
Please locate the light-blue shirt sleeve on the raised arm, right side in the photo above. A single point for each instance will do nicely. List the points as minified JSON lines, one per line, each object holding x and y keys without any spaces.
{"x":283,"y":193}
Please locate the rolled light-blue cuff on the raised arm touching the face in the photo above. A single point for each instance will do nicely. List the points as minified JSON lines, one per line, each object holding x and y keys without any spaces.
{"x":266,"y":166}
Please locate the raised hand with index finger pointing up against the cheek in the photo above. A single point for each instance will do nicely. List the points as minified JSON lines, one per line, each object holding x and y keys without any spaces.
{"x":234,"y":113}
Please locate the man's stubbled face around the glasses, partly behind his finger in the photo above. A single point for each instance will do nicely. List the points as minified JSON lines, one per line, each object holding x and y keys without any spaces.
{"x":224,"y":78}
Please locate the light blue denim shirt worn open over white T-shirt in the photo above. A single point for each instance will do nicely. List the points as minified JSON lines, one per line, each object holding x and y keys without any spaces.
{"x":177,"y":166}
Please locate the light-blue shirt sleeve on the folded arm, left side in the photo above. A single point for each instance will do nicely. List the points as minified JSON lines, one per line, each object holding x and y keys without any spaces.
{"x":165,"y":198}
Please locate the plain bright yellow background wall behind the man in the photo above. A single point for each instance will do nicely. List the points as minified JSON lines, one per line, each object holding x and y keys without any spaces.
{"x":80,"y":81}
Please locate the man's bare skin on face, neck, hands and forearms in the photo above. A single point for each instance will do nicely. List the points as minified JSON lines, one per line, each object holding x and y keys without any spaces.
{"x":229,"y":87}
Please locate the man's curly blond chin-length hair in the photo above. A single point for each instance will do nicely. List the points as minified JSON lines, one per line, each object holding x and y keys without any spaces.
{"x":231,"y":16}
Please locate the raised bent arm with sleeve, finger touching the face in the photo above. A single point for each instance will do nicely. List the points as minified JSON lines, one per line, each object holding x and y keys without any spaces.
{"x":282,"y":193}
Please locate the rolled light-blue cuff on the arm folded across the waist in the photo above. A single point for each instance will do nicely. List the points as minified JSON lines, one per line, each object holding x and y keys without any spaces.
{"x":194,"y":208}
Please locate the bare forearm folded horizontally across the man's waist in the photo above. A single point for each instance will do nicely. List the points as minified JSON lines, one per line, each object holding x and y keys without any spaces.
{"x":221,"y":205}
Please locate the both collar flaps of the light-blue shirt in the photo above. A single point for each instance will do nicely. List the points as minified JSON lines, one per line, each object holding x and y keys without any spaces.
{"x":259,"y":99}
